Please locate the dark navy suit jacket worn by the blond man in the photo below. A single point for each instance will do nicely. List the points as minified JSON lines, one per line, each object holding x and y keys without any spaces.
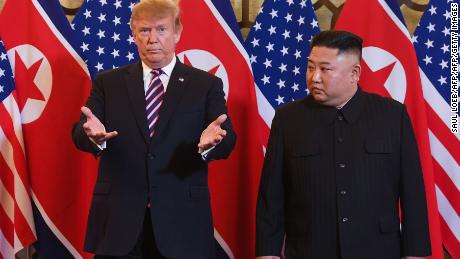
{"x":165,"y":169}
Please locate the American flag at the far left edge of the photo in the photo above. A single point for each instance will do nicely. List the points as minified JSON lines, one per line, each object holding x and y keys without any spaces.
{"x":17,"y":228}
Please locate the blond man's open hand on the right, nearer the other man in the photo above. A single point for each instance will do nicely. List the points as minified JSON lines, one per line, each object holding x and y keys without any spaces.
{"x":213,"y":134}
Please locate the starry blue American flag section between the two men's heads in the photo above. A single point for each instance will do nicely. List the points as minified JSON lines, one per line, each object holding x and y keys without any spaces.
{"x":278,"y":47}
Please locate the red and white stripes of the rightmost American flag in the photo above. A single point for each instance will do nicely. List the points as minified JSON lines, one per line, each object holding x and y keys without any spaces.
{"x":445,"y":153}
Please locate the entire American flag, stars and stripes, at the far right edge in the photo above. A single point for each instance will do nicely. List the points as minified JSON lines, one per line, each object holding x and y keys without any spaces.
{"x":432,"y":41}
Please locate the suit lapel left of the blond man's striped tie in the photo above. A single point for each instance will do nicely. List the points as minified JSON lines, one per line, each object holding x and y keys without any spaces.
{"x":135,"y":85}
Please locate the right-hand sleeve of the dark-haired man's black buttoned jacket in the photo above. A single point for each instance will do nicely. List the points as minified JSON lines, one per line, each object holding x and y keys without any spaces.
{"x":415,"y":231}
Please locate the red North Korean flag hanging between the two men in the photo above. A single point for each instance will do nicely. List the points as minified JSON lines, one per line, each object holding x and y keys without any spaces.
{"x":207,"y":42}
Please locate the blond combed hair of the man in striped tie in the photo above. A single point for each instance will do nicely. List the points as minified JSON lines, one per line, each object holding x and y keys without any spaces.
{"x":156,"y":8}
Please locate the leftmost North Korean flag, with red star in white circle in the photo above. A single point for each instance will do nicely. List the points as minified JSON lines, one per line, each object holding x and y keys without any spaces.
{"x":51,"y":85}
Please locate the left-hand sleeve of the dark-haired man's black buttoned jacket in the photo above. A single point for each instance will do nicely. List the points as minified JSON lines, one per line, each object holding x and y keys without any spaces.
{"x":270,"y":203}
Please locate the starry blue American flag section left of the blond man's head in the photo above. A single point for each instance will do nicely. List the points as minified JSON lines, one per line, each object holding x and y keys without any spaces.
{"x":105,"y":37}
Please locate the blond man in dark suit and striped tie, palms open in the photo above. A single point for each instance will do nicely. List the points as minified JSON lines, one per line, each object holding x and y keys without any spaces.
{"x":154,"y":126}
